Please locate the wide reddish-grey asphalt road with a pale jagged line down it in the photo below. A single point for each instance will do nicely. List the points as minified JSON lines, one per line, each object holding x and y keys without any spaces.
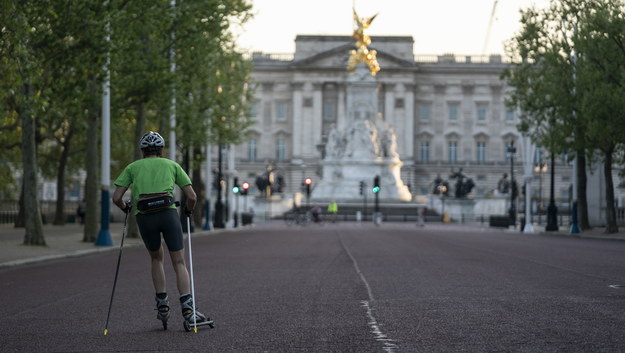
{"x":335,"y":288}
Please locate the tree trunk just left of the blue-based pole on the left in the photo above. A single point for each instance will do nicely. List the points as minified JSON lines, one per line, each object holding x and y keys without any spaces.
{"x":90,"y":231}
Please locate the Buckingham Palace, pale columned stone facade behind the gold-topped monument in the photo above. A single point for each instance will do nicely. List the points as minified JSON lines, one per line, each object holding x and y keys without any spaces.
{"x":448,"y":113}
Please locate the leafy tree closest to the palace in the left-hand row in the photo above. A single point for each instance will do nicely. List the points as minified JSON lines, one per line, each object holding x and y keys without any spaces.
{"x":212,"y":97}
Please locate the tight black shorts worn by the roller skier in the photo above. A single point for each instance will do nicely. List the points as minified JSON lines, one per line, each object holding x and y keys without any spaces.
{"x":167,"y":222}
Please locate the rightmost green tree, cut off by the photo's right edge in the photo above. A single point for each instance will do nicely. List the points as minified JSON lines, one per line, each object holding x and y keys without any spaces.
{"x":601,"y":77}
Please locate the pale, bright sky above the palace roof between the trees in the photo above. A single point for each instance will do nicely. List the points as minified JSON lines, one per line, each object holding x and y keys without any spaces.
{"x":437,"y":26}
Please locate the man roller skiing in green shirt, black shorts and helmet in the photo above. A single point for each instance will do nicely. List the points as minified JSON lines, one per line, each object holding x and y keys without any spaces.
{"x":153,"y":179}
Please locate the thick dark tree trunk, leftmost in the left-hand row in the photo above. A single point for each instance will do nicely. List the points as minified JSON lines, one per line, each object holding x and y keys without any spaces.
{"x":32,"y":215}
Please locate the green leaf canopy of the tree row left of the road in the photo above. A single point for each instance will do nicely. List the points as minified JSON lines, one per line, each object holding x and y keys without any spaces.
{"x":58,"y":48}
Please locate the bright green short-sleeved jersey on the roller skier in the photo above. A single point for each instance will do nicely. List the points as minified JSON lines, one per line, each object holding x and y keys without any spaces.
{"x":152,"y":175}
